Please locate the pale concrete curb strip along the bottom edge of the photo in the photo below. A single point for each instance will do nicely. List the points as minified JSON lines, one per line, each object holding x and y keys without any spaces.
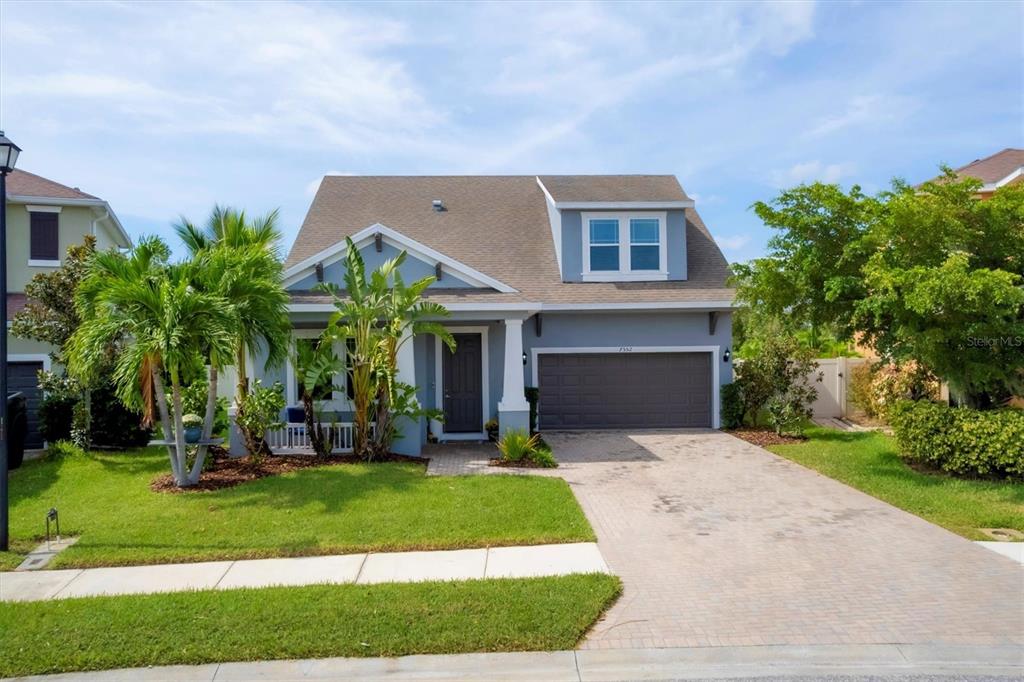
{"x":675,"y":664}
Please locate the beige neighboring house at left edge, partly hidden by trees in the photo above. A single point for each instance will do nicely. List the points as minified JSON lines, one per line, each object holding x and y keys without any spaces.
{"x":44,"y":220}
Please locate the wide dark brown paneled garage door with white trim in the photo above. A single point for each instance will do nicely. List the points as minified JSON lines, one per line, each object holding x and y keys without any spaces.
{"x":625,"y":391}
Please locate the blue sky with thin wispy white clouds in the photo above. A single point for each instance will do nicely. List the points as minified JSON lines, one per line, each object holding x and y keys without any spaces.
{"x":164,"y":109}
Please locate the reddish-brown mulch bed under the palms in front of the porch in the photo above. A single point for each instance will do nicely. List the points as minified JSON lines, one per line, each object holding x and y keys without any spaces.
{"x":230,"y":472}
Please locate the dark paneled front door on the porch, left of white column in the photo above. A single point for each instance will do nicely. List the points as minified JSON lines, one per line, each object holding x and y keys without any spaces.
{"x":463,"y":385}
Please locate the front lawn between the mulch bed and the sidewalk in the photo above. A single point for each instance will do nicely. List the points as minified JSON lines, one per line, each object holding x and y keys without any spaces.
{"x":106,"y":499}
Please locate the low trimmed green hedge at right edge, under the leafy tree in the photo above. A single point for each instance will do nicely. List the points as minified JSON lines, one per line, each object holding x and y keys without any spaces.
{"x":960,"y":441}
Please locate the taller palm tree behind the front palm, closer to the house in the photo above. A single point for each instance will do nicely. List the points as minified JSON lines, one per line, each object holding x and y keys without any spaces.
{"x":244,"y":268}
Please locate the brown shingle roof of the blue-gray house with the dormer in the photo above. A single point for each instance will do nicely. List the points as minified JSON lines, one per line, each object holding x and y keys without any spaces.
{"x":500,"y":226}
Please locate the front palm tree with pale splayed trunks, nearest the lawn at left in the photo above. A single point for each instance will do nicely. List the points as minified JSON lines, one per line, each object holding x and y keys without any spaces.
{"x":151,"y":318}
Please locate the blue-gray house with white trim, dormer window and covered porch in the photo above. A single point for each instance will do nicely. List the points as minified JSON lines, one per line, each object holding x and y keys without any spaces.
{"x":608,"y":293}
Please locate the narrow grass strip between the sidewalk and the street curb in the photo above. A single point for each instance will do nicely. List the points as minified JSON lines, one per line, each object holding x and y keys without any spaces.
{"x":101,"y":633}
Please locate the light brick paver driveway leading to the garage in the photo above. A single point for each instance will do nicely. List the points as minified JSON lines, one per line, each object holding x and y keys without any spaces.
{"x":721,"y":543}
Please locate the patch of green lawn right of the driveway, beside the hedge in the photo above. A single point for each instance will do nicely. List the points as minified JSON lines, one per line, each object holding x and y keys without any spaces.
{"x":869,"y":462}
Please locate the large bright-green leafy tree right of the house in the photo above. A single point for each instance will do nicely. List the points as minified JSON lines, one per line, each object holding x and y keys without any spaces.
{"x":933,"y":275}
